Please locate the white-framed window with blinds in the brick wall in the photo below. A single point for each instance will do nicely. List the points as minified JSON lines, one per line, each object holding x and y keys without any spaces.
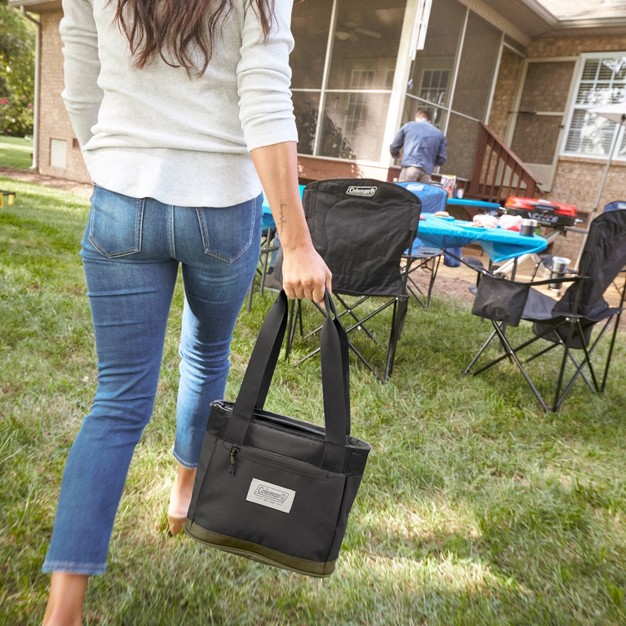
{"x":602,"y":80}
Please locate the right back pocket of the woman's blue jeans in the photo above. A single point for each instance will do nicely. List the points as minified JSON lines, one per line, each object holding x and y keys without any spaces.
{"x":228,"y":232}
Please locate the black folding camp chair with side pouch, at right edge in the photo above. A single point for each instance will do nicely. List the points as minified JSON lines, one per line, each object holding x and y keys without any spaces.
{"x":576,"y":323}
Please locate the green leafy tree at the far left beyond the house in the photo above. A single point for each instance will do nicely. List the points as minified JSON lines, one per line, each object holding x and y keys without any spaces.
{"x":17,"y":62}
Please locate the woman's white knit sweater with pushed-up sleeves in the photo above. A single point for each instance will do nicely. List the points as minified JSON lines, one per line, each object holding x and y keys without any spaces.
{"x":156,"y":132}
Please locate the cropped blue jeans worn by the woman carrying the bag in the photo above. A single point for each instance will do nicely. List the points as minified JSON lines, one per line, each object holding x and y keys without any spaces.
{"x":131,"y":253}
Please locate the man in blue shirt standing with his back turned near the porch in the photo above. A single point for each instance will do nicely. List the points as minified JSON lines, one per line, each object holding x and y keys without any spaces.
{"x":422,"y":145}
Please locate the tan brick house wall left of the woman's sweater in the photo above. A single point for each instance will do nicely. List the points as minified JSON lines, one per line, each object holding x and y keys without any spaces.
{"x":54,"y":123}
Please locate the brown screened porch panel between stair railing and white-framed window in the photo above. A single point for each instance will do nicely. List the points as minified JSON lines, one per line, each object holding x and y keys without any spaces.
{"x":539,"y":119}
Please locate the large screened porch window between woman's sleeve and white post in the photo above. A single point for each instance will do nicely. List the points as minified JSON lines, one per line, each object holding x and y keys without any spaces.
{"x":341,"y":101}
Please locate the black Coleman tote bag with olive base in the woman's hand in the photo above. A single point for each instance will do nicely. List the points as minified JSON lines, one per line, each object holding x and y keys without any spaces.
{"x":273,"y":488}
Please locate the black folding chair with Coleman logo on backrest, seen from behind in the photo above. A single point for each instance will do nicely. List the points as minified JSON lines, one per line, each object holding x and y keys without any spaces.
{"x":361,"y":228}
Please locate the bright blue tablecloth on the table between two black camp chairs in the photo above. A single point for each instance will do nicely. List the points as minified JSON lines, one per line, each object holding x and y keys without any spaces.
{"x":500,"y":245}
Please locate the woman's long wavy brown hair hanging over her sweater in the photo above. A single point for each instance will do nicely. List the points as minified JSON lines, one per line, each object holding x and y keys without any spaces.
{"x":175,"y":30}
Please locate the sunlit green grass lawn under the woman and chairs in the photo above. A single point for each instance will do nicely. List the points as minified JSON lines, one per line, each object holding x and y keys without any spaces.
{"x":476,"y":507}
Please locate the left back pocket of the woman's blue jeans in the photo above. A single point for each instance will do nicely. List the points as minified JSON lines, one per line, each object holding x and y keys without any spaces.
{"x":115,"y":223}
